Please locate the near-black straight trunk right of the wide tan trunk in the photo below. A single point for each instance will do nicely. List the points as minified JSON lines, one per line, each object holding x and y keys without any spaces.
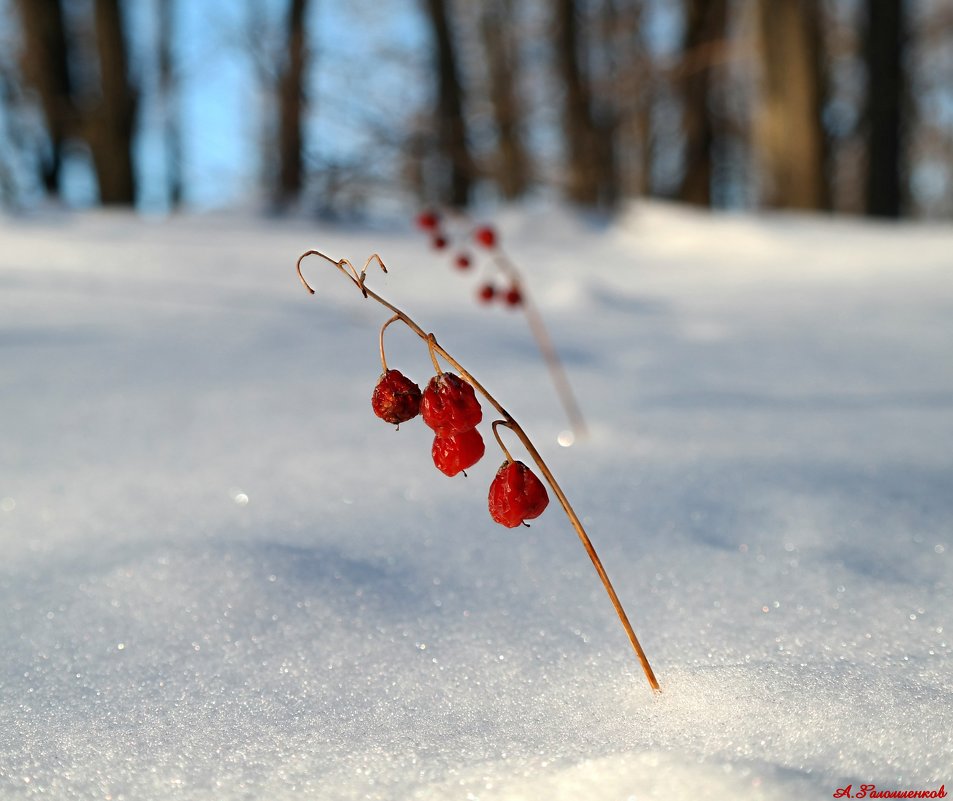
{"x":886,"y":90}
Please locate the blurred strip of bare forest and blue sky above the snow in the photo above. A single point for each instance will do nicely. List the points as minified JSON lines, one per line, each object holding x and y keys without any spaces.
{"x":343,"y":109}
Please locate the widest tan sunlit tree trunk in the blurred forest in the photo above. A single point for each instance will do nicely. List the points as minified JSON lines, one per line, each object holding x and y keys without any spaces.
{"x":790,"y":133}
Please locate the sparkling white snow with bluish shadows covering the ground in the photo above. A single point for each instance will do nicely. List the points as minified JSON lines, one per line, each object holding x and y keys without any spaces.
{"x":223,"y":578}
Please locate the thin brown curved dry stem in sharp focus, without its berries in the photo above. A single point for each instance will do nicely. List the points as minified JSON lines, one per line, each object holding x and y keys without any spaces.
{"x":357,"y":279}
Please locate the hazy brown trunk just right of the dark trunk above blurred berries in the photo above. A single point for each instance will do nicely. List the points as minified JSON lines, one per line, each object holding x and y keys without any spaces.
{"x":512,"y":167}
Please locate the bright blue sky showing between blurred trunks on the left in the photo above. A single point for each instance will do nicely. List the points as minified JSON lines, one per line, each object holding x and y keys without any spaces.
{"x":221,"y":105}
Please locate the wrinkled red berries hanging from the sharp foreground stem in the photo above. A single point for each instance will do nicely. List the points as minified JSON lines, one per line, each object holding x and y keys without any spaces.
{"x":450,"y":407}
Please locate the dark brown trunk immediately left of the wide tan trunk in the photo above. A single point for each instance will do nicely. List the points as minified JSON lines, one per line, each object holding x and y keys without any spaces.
{"x":705,"y":30}
